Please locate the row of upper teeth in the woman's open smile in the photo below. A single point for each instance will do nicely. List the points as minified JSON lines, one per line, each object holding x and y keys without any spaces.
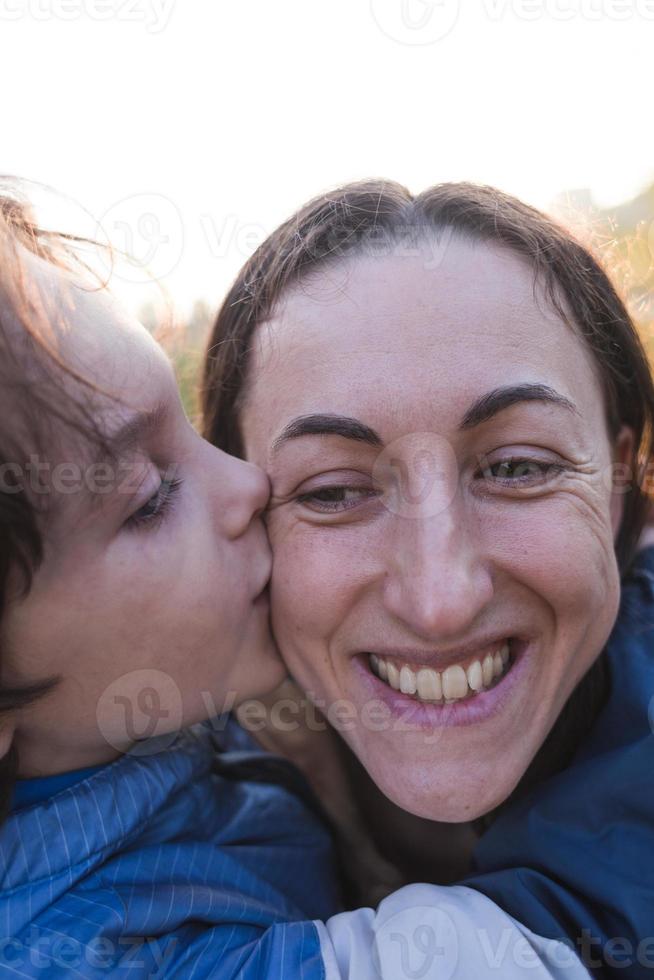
{"x":451,"y":684}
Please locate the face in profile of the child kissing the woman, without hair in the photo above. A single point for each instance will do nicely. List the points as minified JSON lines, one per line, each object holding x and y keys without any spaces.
{"x":149,"y":603}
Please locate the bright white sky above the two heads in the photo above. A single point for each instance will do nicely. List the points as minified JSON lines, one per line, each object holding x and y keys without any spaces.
{"x":216,"y":118}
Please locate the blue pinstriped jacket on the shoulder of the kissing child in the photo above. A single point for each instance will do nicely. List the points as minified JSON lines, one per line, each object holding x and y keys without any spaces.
{"x":177,"y":837}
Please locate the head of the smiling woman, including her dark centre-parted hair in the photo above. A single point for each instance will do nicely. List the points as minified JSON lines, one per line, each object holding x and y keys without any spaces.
{"x":455,"y":413}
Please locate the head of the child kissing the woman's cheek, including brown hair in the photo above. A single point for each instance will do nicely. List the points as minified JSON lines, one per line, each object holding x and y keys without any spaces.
{"x":132,"y":553}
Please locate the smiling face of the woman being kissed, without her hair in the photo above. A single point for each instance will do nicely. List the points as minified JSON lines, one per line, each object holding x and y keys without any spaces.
{"x":443,"y":516}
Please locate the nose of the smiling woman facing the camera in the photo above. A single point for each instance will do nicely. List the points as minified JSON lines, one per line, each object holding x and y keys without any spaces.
{"x":436,"y":582}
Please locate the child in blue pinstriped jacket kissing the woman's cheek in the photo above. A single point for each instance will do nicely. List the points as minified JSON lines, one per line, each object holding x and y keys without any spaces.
{"x":134,"y":569}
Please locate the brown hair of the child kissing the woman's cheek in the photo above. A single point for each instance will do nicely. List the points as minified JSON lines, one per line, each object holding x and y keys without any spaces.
{"x":31,"y":389}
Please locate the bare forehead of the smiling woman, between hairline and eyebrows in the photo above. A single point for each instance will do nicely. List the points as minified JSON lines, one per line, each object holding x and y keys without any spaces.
{"x":395,"y":334}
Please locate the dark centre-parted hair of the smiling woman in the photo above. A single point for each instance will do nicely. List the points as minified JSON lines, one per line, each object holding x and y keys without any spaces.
{"x":374,"y":216}
